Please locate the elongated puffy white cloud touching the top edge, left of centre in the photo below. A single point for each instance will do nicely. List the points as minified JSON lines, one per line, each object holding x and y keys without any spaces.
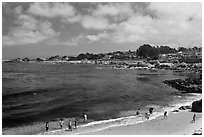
{"x":51,"y":10}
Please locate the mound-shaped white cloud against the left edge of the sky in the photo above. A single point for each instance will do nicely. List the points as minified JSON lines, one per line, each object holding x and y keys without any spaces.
{"x":29,"y":31}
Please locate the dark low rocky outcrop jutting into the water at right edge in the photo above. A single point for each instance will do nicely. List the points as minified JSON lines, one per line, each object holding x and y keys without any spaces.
{"x":188,"y":85}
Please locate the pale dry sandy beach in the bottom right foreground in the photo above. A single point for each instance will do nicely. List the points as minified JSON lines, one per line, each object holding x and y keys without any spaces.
{"x":177,"y":123}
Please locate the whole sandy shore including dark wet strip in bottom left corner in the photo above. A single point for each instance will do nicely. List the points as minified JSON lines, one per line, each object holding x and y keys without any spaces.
{"x":177,"y":123}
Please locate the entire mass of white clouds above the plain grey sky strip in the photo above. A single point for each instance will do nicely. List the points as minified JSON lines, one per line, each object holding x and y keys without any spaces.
{"x":154,"y":23}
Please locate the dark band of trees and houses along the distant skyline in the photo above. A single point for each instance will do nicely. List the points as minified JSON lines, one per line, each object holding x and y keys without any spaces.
{"x":145,"y":51}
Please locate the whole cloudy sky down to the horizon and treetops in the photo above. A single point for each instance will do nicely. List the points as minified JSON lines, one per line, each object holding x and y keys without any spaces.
{"x":45,"y":29}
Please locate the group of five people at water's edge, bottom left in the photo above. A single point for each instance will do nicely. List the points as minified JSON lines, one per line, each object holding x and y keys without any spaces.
{"x":61,"y":123}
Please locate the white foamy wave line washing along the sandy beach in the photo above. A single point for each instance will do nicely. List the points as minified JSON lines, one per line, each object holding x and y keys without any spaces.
{"x":131,"y":120}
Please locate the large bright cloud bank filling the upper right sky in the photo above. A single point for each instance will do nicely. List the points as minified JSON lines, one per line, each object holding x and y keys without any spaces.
{"x":169,"y":26}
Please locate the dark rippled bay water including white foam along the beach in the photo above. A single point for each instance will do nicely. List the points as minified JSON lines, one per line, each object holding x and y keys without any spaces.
{"x":37,"y":92}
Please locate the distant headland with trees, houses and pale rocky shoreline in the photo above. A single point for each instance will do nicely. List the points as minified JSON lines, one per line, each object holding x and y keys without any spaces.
{"x":145,"y":57}
